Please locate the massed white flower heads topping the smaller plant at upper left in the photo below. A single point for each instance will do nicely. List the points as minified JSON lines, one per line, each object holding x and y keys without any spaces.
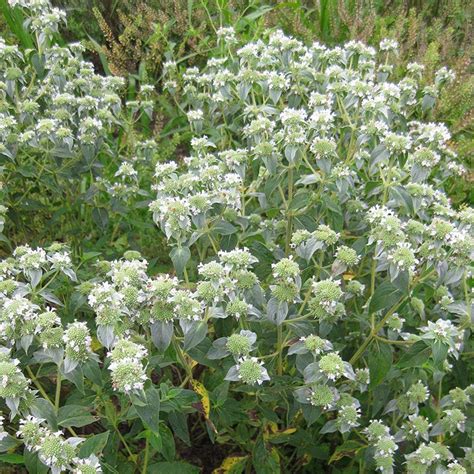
{"x":67,"y":110}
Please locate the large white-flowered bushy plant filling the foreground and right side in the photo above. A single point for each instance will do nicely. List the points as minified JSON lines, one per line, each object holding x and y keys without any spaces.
{"x":319,"y":307}
